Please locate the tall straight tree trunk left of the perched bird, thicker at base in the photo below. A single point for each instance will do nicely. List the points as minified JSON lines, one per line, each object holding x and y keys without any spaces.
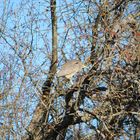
{"x":37,"y":127}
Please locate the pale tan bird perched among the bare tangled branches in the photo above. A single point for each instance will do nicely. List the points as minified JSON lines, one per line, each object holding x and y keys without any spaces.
{"x":70,"y":68}
